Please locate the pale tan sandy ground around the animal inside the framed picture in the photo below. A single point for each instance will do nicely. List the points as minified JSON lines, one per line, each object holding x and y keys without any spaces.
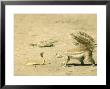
{"x":30,"y":29}
